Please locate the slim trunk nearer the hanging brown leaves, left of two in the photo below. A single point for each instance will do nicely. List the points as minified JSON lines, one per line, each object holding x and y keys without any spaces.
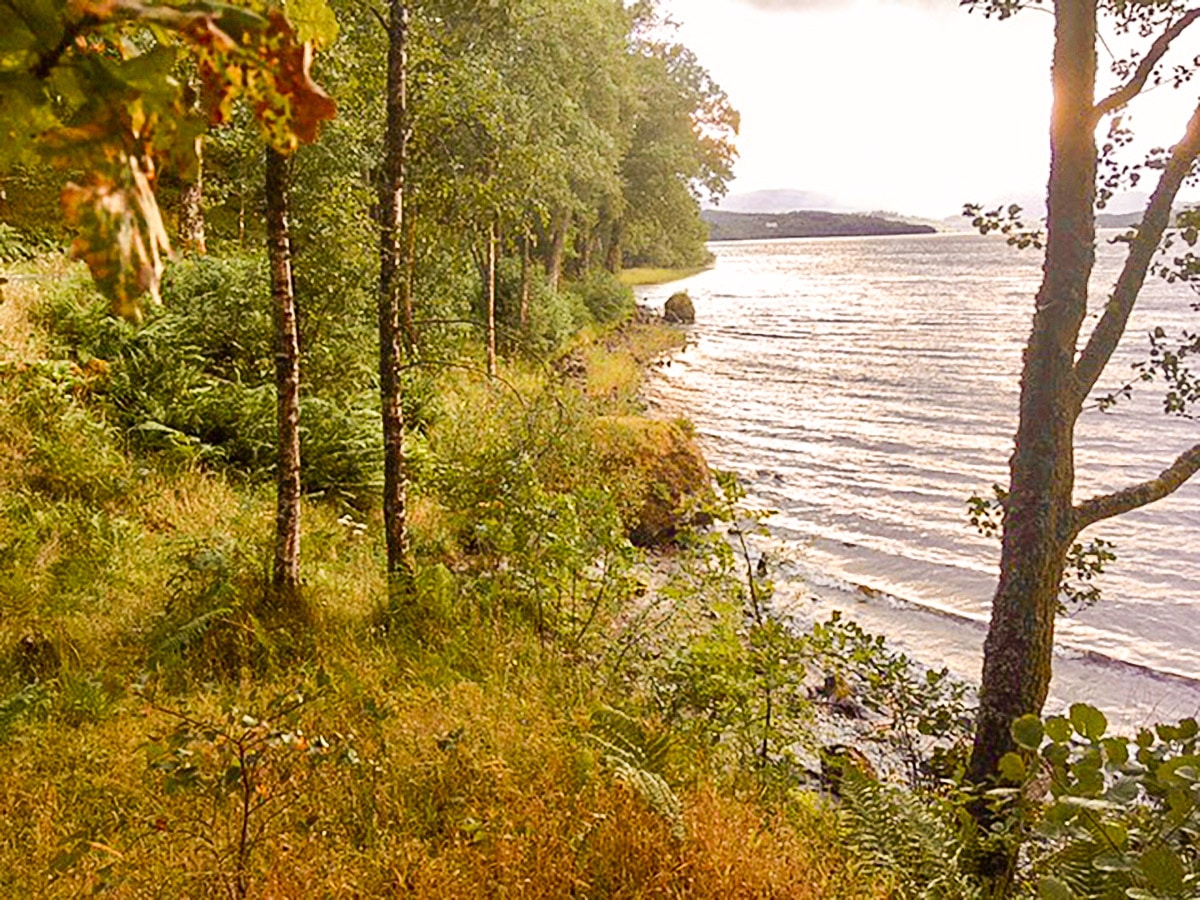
{"x":286,"y":577}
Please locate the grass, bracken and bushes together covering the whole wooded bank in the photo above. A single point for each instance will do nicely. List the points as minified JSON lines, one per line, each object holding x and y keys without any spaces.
{"x":163,"y":735}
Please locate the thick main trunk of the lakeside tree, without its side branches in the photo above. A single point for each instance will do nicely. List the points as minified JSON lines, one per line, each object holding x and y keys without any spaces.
{"x":1040,"y":523}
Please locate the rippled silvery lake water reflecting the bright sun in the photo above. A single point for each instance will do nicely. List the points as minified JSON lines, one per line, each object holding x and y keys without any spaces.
{"x":866,"y":388}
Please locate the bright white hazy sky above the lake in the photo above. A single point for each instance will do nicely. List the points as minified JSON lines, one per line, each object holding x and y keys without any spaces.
{"x":910,"y":106}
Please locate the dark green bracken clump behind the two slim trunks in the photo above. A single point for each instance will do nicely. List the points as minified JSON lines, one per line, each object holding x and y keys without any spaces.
{"x":196,"y":381}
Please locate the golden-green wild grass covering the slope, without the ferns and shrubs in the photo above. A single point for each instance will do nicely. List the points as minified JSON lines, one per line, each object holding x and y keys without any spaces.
{"x":451,"y":767}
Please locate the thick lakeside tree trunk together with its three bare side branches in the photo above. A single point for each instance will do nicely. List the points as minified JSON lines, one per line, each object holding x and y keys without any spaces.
{"x":1042,"y":520}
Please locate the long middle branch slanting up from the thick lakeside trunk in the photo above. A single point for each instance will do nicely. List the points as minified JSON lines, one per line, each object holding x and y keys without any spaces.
{"x":1112,"y":327}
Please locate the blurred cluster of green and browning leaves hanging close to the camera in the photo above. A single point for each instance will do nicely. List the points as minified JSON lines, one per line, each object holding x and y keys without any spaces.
{"x":125,"y":112}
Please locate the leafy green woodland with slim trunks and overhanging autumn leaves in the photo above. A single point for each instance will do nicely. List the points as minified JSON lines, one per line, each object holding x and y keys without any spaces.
{"x":494,"y":153}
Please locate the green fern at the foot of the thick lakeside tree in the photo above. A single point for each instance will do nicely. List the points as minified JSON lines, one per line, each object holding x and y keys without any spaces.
{"x":908,"y":837}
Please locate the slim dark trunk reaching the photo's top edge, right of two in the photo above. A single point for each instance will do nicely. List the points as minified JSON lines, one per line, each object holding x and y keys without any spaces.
{"x":392,"y":207}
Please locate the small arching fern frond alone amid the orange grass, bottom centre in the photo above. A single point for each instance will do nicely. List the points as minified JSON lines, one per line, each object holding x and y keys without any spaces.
{"x":638,"y":759}
